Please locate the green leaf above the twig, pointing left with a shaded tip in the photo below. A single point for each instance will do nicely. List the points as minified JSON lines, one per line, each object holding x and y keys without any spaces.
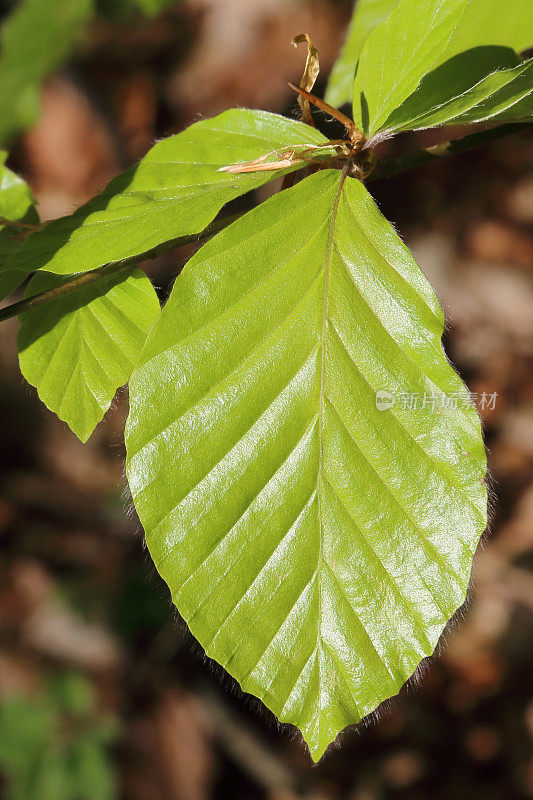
{"x":176,"y":190}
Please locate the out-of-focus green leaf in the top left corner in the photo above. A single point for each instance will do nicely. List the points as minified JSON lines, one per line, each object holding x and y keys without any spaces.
{"x":34,"y":40}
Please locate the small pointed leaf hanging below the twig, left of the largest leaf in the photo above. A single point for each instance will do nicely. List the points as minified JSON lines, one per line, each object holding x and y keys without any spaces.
{"x":78,"y":349}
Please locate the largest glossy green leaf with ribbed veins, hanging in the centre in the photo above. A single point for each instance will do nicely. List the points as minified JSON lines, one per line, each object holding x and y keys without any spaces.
{"x":315,"y":545}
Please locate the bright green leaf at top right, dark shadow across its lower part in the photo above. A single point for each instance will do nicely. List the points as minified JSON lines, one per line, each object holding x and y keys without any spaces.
{"x":421,"y":35}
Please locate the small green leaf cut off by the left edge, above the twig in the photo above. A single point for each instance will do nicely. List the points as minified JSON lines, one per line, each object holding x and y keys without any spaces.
{"x":16,"y":205}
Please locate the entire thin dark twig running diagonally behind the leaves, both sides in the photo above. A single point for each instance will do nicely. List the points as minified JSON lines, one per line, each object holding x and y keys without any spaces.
{"x":384,"y":169}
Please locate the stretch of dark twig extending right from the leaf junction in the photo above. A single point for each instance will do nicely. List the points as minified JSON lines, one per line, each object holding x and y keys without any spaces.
{"x":394,"y":166}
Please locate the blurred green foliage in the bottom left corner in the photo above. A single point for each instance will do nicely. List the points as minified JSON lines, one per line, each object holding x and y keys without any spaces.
{"x":54,"y":747}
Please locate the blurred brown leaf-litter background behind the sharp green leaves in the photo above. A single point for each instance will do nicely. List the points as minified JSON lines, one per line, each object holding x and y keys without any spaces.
{"x":103,"y":693}
